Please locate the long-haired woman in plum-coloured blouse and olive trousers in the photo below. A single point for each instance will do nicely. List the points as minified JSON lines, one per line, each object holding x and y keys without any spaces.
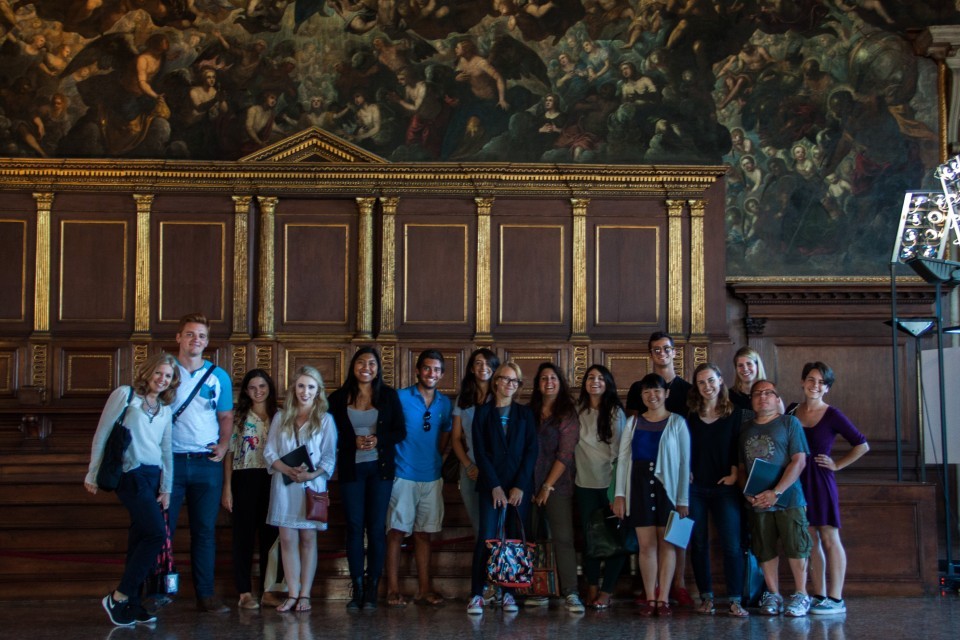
{"x":558,"y":430}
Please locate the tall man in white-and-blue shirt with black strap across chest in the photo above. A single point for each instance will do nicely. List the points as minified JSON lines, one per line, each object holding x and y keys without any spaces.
{"x":203,"y":422}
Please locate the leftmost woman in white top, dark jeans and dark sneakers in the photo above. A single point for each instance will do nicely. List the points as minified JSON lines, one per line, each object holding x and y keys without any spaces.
{"x":147,"y":478}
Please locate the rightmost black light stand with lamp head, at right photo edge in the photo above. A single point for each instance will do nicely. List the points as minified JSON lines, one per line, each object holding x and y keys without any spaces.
{"x":942,"y":273}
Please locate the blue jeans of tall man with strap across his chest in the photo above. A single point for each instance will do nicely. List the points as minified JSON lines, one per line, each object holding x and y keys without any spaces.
{"x":199,"y":480}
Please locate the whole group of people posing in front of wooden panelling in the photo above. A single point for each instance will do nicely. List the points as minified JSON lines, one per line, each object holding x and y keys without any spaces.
{"x":677,"y":447}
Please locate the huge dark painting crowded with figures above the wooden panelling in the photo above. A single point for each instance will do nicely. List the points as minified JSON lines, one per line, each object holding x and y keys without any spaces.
{"x":821,"y":108}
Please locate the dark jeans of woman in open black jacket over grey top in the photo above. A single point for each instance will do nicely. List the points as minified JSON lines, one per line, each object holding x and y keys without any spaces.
{"x":365,"y":503}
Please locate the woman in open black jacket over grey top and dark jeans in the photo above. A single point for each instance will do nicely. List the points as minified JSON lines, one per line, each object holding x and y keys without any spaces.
{"x":370,"y":423}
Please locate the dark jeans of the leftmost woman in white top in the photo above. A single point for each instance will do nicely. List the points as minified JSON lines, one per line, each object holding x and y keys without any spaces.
{"x":138,"y":492}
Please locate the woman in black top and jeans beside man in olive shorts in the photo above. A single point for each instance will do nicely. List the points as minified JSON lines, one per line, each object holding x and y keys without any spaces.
{"x":714,"y":423}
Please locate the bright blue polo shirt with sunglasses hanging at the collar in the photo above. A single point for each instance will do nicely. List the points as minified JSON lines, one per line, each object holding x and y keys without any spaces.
{"x":418,"y":458}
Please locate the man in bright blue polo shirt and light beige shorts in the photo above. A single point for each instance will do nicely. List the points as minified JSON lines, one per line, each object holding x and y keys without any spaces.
{"x":416,"y":502}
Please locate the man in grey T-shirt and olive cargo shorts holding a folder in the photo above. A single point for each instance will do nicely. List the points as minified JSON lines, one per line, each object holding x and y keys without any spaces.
{"x":778,"y":513}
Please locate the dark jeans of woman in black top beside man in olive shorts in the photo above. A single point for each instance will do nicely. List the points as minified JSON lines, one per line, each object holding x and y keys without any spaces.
{"x":722,"y":503}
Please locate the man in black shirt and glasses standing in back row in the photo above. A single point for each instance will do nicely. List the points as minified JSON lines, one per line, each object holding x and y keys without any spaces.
{"x":662,"y":352}
